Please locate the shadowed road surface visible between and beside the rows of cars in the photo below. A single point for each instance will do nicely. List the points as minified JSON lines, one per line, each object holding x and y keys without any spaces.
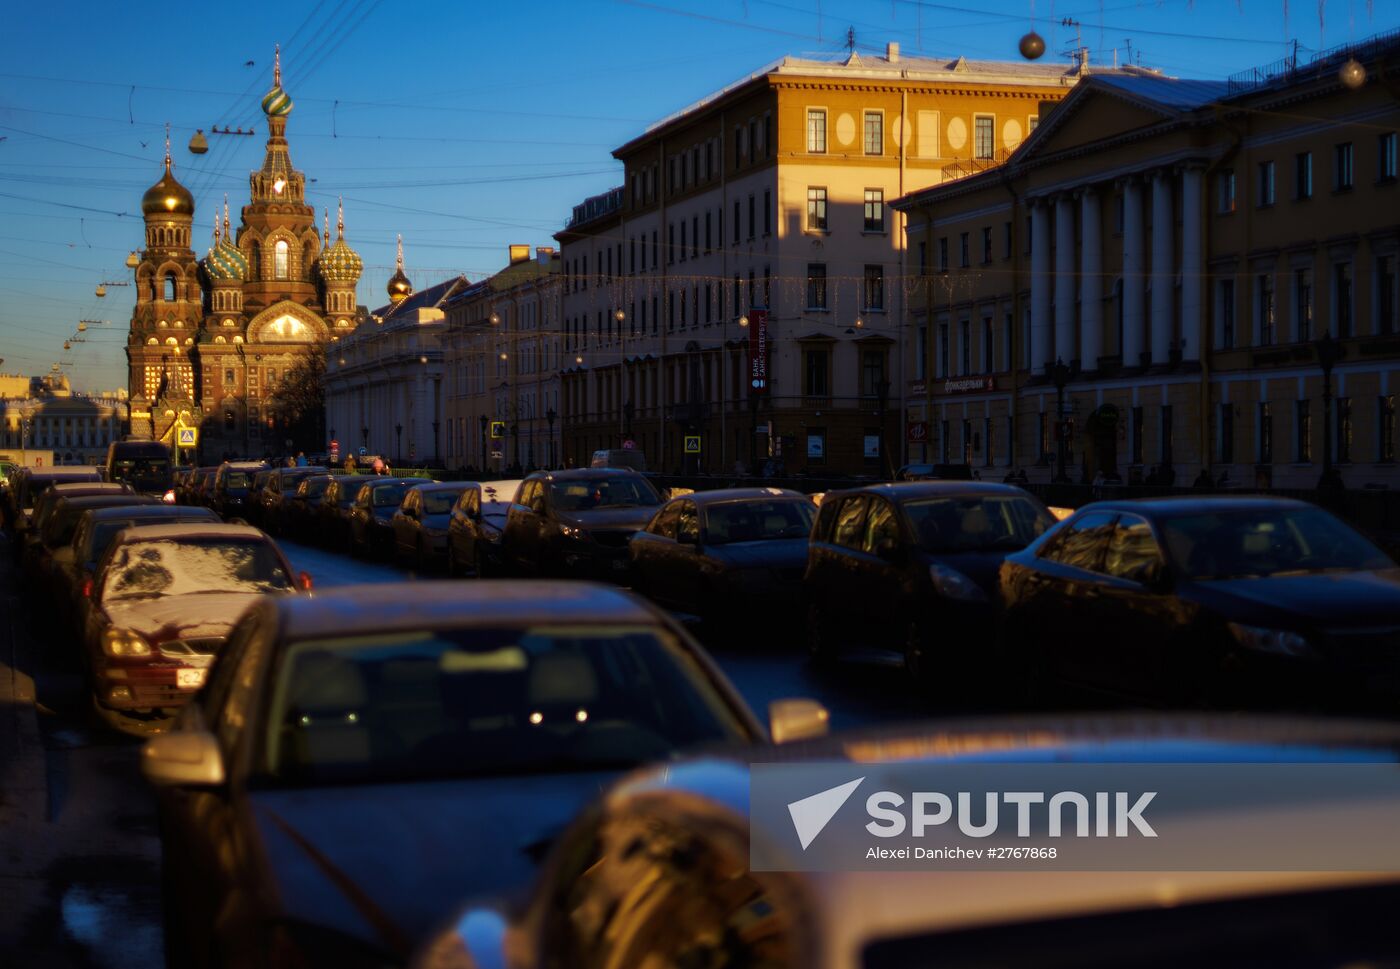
{"x":79,"y":844}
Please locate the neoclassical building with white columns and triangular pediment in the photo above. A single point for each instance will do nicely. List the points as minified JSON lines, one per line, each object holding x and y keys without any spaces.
{"x":1158,"y":278}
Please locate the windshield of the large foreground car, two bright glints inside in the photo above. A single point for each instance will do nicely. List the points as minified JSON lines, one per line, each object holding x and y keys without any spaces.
{"x":482,"y":702}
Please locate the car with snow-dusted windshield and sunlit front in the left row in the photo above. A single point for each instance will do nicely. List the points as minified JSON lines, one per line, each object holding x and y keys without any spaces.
{"x":162,"y":603}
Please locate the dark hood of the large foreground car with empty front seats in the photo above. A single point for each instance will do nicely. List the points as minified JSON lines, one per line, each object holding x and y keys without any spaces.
{"x":412,"y":852}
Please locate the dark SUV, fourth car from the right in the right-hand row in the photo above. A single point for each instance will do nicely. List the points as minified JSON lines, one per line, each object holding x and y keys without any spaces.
{"x":576,"y":524}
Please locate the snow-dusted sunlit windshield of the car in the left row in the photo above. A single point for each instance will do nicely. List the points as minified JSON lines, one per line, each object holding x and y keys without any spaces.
{"x":195,"y":565}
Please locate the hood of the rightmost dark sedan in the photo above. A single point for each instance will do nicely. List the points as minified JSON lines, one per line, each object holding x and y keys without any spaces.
{"x":1336,"y":600}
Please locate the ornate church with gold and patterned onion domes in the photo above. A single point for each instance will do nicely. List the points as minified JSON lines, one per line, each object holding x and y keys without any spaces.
{"x":212,"y":338}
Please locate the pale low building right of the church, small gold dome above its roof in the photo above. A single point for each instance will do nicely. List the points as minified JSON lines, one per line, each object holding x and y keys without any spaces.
{"x":384,"y":379}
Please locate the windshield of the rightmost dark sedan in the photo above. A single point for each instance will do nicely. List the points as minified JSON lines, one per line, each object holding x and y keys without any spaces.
{"x":1256,"y":543}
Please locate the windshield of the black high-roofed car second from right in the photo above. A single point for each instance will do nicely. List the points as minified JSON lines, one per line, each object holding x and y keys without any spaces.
{"x":976,"y":523}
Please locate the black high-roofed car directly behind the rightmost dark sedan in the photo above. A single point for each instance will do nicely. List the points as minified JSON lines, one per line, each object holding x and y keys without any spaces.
{"x":912,"y":568}
